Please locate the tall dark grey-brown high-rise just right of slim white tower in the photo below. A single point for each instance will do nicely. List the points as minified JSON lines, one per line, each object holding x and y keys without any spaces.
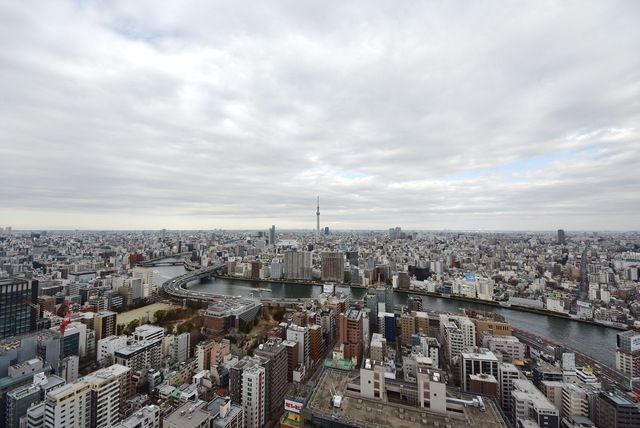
{"x":276,"y":384}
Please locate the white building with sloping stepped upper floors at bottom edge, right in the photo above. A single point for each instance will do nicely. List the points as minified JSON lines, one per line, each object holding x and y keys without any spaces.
{"x":529,"y":405}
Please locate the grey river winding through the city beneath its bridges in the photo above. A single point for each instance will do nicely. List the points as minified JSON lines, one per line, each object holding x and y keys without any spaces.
{"x":595,"y":341}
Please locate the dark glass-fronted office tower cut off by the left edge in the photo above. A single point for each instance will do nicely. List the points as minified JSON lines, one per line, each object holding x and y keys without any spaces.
{"x":18,"y":300}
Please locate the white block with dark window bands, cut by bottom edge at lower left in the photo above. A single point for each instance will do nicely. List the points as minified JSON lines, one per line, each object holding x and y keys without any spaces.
{"x":68,"y":406}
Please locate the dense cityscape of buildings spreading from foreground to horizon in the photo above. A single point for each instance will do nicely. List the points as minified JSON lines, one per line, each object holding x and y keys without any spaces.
{"x":314,"y":325}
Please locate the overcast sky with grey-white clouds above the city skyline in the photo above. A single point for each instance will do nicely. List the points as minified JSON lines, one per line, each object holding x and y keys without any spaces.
{"x":489,"y":115}
